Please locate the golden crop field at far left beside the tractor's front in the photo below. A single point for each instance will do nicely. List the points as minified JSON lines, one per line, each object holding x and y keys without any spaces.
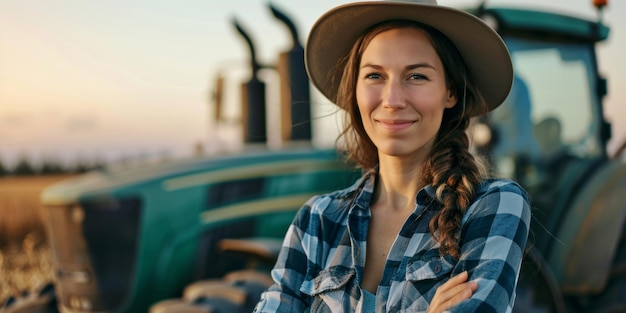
{"x":25,"y":256}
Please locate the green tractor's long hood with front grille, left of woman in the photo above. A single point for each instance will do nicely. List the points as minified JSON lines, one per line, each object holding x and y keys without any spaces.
{"x":125,"y":239}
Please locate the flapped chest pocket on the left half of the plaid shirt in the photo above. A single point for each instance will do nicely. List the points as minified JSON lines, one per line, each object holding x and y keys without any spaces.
{"x":329,"y":289}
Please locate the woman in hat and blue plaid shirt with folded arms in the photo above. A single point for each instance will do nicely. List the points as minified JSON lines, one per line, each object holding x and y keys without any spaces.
{"x":424,"y":230}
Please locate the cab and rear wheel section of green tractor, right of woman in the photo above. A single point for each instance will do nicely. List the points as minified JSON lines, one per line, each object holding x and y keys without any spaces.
{"x":551,"y":136}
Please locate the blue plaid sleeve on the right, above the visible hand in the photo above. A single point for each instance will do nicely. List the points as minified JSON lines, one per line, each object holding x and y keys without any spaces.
{"x":493,"y":236}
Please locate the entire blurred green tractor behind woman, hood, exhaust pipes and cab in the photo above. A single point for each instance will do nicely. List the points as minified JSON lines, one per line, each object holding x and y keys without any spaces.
{"x":201,"y":235}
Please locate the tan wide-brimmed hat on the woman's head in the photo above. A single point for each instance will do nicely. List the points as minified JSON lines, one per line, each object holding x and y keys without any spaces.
{"x":332,"y":36}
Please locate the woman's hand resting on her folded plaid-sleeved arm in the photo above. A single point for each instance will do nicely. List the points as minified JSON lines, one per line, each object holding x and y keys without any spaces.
{"x":452,"y":292}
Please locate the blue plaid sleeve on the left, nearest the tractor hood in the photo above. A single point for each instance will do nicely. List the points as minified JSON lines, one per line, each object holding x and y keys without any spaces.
{"x":290,"y":269}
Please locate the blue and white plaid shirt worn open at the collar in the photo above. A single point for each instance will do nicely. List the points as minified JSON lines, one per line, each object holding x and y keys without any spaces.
{"x":321,"y":262}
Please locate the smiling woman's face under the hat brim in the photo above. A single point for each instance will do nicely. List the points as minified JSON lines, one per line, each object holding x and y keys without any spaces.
{"x":401,"y":92}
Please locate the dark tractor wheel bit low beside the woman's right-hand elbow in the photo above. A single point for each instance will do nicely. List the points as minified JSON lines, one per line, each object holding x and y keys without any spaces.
{"x":537,"y":291}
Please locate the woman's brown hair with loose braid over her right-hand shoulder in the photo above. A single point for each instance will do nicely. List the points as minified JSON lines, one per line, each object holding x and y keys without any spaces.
{"x":451,"y":169}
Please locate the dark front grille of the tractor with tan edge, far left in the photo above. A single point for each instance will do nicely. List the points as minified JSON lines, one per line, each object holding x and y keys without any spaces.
{"x":95,"y":247}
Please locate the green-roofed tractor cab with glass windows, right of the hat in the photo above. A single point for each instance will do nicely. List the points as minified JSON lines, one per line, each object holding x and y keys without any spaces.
{"x":550,"y":132}
